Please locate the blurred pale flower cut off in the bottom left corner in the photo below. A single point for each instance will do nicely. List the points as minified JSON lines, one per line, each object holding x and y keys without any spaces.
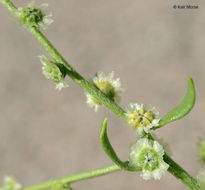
{"x":10,"y":184}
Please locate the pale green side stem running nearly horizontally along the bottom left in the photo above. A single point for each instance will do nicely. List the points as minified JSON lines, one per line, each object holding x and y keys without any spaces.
{"x":76,"y":177}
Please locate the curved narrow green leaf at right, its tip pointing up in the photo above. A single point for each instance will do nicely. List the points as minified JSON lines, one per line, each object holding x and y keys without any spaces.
{"x":182,"y":109}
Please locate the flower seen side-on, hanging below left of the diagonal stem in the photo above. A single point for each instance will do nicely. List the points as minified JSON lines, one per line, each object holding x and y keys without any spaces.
{"x":52,"y":71}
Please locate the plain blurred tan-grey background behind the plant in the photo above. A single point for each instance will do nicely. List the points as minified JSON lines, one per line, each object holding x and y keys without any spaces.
{"x":153,"y":49}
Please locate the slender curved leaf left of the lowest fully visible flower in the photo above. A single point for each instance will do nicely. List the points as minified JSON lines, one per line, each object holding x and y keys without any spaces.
{"x":107,"y":147}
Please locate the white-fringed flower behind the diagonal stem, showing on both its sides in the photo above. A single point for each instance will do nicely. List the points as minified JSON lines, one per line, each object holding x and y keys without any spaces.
{"x":108,"y":85}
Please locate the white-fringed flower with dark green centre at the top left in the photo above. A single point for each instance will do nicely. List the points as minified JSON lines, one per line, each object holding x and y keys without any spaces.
{"x":34,"y":16}
